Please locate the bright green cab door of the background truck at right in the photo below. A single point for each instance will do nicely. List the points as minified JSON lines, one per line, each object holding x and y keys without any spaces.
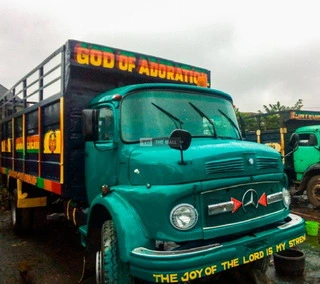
{"x":306,"y":154}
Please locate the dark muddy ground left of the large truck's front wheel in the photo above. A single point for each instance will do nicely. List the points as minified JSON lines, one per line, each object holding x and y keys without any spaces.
{"x":47,"y":256}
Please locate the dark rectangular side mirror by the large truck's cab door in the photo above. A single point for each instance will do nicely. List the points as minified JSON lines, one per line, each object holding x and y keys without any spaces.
{"x":90,"y":124}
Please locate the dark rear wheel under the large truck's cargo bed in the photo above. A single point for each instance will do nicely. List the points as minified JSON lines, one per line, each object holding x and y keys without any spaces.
{"x":21,"y":218}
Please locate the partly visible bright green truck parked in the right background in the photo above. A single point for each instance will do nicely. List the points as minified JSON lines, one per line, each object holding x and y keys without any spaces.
{"x":297,"y":139}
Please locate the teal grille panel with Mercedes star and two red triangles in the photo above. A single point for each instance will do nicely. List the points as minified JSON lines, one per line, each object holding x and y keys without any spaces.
{"x":240,"y":204}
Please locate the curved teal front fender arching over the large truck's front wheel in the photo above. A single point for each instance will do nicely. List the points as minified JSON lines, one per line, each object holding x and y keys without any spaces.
{"x":131,"y":232}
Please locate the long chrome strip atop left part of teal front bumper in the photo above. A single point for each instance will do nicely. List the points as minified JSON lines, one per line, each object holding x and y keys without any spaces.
{"x":149,"y":252}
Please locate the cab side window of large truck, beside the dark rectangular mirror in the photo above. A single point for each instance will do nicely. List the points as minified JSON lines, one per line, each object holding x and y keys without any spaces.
{"x":106,"y":124}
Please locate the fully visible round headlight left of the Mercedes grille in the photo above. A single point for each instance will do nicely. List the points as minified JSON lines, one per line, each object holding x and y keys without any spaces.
{"x":183,"y":216}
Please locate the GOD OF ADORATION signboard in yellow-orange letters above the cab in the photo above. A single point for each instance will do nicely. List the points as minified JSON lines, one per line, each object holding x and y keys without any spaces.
{"x":137,"y":64}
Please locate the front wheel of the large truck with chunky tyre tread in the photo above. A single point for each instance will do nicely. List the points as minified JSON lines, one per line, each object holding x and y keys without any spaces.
{"x":109,"y":268}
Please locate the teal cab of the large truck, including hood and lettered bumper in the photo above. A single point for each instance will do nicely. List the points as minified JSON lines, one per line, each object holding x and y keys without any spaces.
{"x":185,"y":194}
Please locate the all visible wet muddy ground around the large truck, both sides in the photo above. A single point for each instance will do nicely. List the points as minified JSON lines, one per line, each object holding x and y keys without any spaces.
{"x":53,"y":254}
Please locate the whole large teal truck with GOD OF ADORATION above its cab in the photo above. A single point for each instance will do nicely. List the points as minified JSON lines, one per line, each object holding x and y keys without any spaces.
{"x":147,"y":161}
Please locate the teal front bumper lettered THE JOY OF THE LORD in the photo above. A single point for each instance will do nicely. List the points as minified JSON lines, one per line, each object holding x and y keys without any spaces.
{"x":185,"y":265}
